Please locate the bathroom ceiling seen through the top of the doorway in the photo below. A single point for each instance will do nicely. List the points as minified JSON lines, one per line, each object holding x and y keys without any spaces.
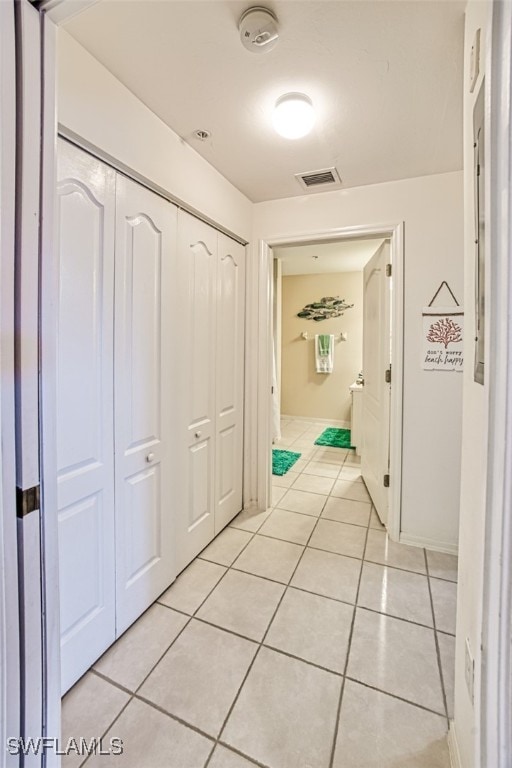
{"x":345,"y":256}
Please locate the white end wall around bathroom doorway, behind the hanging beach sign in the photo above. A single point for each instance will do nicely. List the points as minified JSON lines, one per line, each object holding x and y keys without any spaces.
{"x":432,"y":209}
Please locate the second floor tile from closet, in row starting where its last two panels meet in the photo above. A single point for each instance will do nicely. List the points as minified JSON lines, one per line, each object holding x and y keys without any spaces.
{"x":270,"y":558}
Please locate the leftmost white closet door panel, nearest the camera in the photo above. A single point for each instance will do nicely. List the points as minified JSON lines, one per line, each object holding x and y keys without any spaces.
{"x":85,"y":229}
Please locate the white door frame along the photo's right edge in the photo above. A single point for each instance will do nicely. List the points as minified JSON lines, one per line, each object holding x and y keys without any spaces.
{"x":496,"y":671}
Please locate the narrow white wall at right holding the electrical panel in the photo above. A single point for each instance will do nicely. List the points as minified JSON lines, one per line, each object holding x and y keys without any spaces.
{"x":474,"y":447}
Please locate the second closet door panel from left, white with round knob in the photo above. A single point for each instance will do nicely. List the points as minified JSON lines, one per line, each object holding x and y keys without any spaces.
{"x":144,"y":398}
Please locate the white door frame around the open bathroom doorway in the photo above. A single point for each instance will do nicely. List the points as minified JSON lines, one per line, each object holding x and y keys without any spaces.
{"x":262,"y":354}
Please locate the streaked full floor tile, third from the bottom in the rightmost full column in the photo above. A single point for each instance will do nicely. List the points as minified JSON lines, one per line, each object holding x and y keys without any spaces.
{"x":395,"y":592}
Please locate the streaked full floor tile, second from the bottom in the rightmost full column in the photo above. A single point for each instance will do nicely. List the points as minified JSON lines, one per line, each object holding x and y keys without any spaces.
{"x":396,"y":657}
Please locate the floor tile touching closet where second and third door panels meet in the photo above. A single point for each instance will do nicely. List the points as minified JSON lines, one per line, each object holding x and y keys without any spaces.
{"x":192,"y":586}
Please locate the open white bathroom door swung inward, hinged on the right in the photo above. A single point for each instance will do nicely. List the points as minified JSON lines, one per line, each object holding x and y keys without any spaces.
{"x":376,"y":392}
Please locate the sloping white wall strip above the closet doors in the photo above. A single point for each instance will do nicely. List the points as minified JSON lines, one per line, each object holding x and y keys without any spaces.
{"x":96,"y":106}
